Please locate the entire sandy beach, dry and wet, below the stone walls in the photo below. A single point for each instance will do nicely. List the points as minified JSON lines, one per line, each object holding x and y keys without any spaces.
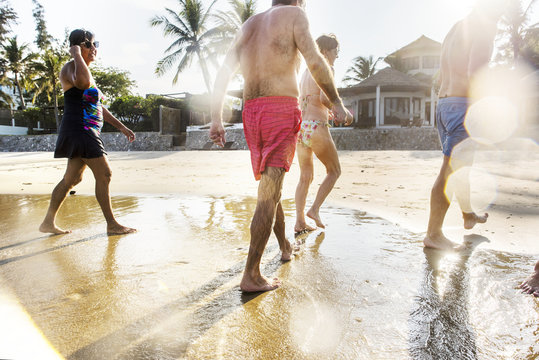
{"x":362,"y":289}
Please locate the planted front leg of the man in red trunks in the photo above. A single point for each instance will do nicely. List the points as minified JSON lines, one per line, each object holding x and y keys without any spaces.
{"x":269,"y":191}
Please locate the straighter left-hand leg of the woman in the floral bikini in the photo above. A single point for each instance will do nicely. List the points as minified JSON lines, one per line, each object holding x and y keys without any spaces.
{"x":305,"y":159}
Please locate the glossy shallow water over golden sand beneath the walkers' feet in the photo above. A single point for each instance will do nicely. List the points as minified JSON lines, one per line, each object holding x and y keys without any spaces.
{"x":362,"y":289}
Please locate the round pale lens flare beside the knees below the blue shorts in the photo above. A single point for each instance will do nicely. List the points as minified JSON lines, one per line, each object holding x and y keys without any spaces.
{"x":475,"y":189}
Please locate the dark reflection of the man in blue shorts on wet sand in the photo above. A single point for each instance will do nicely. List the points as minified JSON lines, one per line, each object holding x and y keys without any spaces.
{"x":439,"y":323}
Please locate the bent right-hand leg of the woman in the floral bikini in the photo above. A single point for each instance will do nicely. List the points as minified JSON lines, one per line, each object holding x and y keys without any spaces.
{"x":325,"y":150}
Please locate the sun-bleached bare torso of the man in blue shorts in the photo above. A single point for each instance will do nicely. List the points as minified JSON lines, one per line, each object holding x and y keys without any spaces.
{"x":466,"y":48}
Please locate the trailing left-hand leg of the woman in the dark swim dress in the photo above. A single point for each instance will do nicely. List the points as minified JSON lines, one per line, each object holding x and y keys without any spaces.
{"x":72,"y":176}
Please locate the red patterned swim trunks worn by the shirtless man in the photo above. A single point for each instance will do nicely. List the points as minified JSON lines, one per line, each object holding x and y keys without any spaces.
{"x":271,"y":126}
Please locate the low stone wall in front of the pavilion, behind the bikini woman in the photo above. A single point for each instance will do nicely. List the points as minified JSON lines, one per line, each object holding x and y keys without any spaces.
{"x":345,"y":139}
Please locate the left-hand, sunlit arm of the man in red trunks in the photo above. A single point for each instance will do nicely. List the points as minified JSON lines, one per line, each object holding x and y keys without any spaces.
{"x":228,"y":69}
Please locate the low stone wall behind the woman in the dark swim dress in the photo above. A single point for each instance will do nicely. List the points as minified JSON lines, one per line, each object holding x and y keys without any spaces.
{"x":146,"y":141}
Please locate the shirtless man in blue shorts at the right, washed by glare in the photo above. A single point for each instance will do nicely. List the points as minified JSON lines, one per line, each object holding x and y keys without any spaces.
{"x":466,"y":49}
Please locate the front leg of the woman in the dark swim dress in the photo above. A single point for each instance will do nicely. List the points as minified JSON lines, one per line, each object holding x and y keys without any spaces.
{"x":102,"y":173}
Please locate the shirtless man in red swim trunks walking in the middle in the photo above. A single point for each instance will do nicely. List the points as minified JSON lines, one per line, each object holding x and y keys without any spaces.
{"x":267,"y":51}
